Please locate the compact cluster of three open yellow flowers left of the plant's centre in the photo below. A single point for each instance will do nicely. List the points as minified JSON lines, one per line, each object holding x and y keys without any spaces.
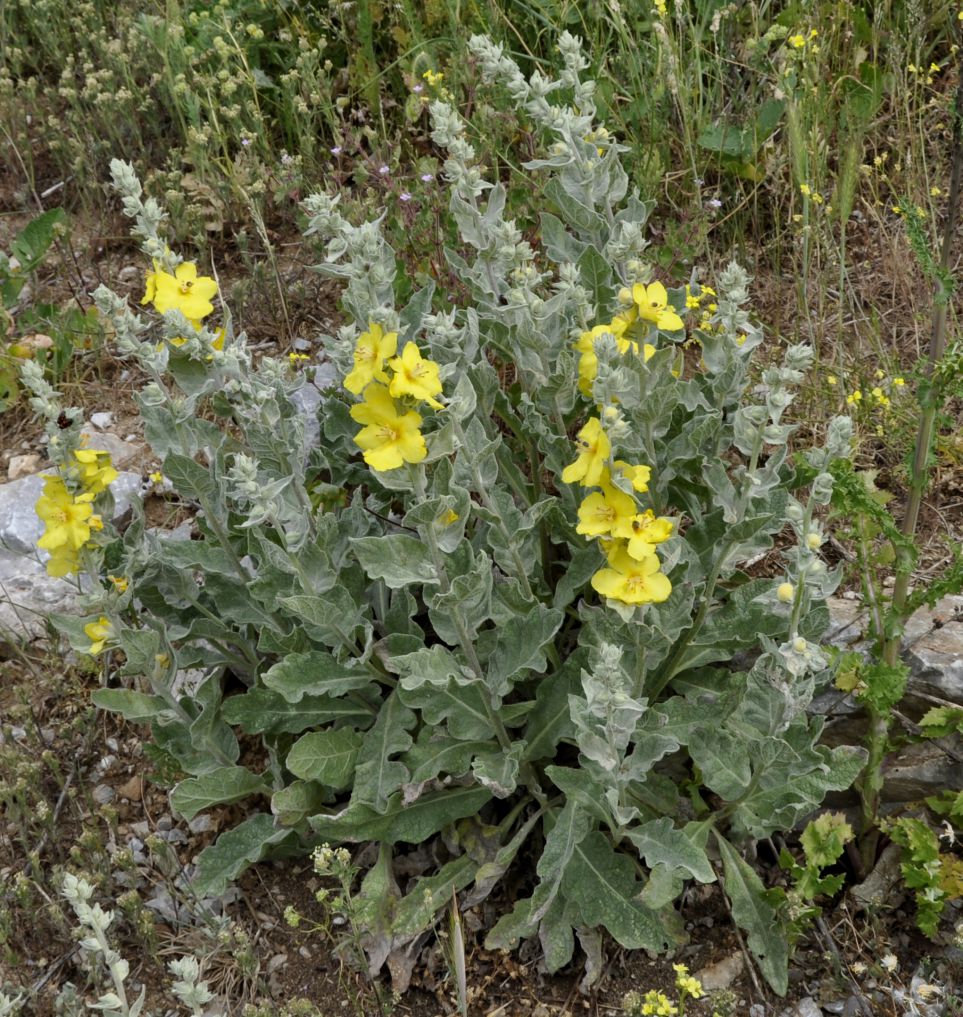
{"x":391,"y":437}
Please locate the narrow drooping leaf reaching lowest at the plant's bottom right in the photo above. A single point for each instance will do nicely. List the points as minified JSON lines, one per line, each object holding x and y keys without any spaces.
{"x":766,"y":937}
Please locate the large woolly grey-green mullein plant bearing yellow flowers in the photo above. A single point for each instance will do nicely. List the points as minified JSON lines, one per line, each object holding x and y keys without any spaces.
{"x":506,"y":600}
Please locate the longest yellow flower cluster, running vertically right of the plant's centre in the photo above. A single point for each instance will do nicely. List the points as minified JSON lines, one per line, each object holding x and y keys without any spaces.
{"x":629,"y":537}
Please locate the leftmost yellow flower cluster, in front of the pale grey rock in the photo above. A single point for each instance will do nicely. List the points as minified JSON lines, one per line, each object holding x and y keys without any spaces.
{"x":68,"y":512}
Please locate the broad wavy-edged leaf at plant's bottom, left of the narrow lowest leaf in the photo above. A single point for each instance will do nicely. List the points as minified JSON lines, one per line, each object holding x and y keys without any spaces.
{"x":603,"y":885}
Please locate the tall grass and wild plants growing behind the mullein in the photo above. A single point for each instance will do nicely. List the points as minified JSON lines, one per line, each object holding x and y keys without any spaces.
{"x":781,"y":134}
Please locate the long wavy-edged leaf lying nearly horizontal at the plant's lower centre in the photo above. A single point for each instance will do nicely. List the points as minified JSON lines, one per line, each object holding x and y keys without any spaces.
{"x":400,"y":822}
